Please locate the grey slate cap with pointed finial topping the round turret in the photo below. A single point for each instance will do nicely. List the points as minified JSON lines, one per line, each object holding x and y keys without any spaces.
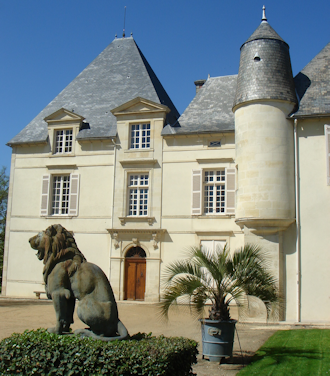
{"x":265,"y":68}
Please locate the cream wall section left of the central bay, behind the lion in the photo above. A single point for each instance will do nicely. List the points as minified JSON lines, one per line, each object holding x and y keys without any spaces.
{"x":22,"y":270}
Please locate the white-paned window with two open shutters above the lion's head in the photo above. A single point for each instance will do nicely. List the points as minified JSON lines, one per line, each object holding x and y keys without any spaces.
{"x":59,"y":195}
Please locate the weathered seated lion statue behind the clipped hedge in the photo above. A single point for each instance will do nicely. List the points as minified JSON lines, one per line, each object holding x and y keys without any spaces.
{"x":68,"y":276}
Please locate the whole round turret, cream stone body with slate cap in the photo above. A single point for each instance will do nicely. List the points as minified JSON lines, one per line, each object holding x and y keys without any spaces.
{"x":265,"y":98}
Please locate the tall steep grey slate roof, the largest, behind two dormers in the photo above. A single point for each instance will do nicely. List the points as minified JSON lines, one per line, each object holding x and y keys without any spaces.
{"x":119,"y":74}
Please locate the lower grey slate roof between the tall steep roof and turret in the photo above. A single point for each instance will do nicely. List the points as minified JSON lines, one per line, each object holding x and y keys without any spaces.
{"x":210,"y":111}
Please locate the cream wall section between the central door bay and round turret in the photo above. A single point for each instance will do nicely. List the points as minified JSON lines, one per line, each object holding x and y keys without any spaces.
{"x":183,"y":155}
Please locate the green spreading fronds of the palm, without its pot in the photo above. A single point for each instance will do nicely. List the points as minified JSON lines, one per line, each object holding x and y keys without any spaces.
{"x":219,"y":277}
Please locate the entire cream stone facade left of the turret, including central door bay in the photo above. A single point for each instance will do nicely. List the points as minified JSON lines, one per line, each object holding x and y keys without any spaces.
{"x":164,"y":235}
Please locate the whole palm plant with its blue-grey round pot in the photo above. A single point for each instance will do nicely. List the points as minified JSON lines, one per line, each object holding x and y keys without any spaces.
{"x":217,"y":279}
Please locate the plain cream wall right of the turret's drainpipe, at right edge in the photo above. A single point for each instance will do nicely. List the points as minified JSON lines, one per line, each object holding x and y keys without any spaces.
{"x":314,"y":220}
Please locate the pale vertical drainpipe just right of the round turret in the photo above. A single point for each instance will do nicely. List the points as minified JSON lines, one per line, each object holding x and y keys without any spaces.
{"x":296,"y":172}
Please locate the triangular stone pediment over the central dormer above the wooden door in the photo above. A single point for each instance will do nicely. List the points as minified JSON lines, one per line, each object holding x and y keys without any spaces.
{"x":139,"y":106}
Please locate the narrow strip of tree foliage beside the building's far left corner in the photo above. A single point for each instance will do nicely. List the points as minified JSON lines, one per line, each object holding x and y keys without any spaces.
{"x":3,"y":212}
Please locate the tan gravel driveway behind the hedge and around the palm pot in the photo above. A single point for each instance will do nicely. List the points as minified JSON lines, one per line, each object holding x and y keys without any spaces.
{"x":18,"y":315}
